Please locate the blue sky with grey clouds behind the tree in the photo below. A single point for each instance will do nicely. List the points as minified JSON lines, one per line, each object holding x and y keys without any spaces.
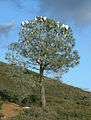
{"x":75,"y":13}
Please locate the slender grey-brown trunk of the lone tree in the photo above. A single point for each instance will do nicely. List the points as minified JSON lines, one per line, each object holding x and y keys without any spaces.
{"x":42,"y":90}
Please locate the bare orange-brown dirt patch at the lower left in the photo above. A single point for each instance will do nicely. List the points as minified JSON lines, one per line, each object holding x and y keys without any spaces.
{"x":10,"y":110}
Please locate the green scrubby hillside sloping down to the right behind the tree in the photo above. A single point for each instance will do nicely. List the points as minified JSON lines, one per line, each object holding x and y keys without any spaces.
{"x":64,"y":102}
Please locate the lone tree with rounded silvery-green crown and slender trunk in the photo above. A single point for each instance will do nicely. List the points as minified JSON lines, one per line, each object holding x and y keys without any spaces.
{"x":46,"y":44}
